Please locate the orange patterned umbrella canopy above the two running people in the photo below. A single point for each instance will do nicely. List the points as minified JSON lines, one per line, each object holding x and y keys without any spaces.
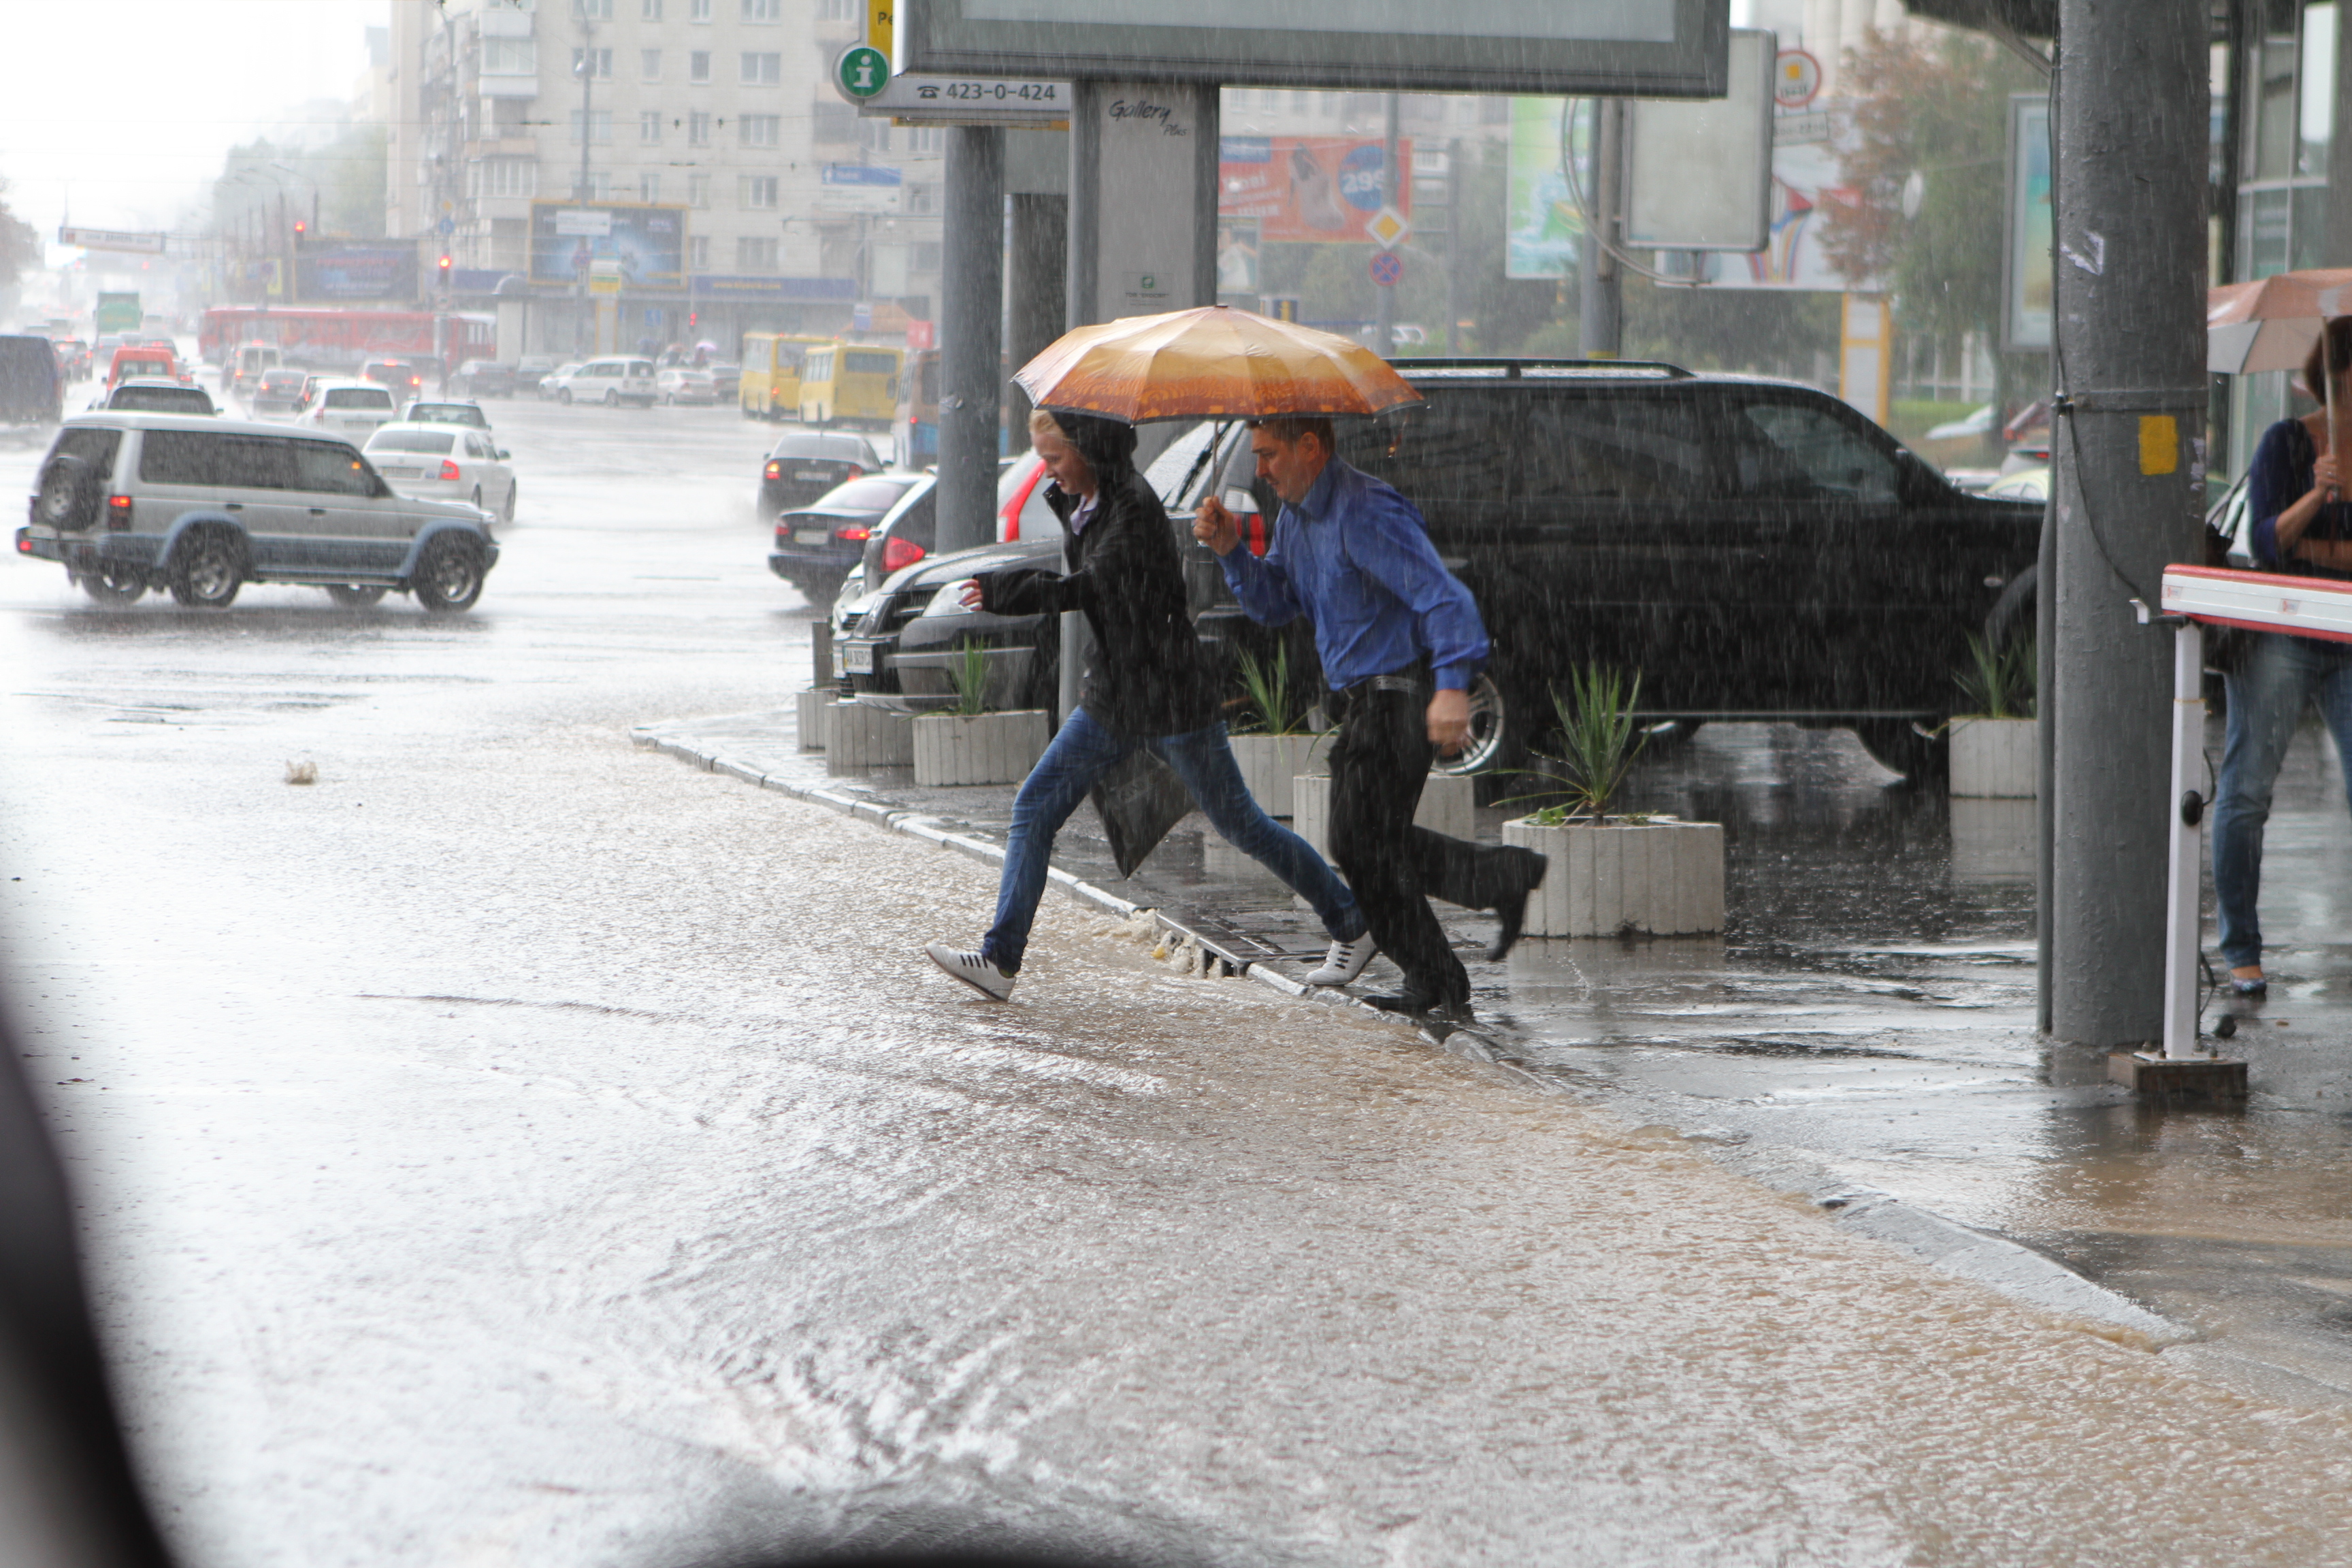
{"x":1210,"y":363}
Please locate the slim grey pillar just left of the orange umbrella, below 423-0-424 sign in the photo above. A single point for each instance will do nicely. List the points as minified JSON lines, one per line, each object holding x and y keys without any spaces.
{"x":970,"y":335}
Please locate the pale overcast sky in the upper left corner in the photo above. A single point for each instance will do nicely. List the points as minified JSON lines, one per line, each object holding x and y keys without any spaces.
{"x":123,"y":109}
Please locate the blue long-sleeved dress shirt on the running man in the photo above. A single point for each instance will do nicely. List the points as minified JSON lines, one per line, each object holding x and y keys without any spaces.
{"x":1356,"y":558}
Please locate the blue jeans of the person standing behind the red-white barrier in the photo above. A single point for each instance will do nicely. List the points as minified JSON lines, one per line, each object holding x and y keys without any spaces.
{"x":2266,"y":704}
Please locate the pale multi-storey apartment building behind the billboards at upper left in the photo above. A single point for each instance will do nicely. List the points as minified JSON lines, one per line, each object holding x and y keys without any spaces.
{"x":721,"y":109}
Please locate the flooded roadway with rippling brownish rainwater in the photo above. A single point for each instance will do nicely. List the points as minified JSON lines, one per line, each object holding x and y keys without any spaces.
{"x":521,"y":1148}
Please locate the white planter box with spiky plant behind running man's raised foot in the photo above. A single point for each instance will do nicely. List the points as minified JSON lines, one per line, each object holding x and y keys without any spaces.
{"x":1657,"y":878}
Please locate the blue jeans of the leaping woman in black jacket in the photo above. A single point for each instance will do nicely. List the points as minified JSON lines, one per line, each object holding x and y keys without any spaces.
{"x":1081,"y":753}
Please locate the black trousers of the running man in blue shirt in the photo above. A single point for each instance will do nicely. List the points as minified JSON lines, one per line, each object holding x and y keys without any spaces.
{"x":1379,"y":765}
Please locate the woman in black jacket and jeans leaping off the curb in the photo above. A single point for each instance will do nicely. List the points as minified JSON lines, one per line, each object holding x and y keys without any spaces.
{"x":1149,"y":685}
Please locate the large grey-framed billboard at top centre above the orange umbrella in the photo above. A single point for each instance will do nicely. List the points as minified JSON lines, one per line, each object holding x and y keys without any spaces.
{"x":1619,"y":48}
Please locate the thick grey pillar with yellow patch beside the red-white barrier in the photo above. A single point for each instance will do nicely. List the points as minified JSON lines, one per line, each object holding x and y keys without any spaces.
{"x":2130,"y":130}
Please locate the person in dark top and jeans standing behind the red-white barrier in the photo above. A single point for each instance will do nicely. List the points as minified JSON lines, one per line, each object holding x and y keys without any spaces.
{"x":2301,"y":528}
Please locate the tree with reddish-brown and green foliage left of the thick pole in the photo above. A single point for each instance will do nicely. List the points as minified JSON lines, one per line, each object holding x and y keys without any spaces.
{"x":1932,"y":109}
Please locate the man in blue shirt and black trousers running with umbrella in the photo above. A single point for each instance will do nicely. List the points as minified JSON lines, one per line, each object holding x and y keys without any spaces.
{"x":1401,"y":643}
